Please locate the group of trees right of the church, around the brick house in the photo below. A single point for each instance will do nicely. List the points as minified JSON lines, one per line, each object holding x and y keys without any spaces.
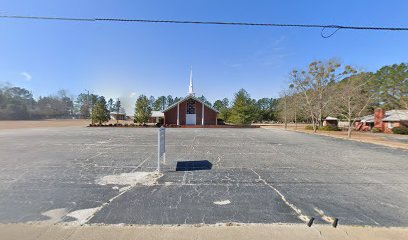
{"x":326,"y":88}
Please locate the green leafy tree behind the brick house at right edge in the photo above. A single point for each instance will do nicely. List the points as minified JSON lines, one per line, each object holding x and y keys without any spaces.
{"x":391,"y":83}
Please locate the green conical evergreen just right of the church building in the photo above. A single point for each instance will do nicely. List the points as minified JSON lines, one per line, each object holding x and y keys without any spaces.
{"x":243,"y":108}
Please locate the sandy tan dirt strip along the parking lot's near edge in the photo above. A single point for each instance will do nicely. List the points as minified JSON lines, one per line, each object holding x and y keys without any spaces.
{"x":218,"y":231}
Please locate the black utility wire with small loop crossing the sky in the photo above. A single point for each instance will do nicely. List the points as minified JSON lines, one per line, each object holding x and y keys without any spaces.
{"x":321,"y":26}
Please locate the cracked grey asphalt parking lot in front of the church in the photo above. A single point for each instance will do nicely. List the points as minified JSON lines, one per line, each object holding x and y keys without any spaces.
{"x":78,"y":175}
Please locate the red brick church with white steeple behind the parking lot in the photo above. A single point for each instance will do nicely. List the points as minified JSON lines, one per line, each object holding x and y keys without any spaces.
{"x":190,"y":111}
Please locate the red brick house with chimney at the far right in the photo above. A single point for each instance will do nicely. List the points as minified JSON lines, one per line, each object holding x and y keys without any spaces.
{"x":383,"y":120}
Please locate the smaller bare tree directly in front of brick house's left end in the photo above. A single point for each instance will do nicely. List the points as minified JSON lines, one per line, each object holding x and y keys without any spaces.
{"x":353,"y":98}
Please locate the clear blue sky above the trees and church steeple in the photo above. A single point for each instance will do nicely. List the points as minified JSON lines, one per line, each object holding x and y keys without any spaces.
{"x":124,"y":60}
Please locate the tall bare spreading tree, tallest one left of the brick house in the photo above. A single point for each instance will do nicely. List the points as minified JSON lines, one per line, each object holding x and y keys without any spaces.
{"x":316,"y":86}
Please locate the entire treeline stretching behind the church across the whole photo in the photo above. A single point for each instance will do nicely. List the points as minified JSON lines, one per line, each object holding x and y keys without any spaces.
{"x":324,"y":88}
